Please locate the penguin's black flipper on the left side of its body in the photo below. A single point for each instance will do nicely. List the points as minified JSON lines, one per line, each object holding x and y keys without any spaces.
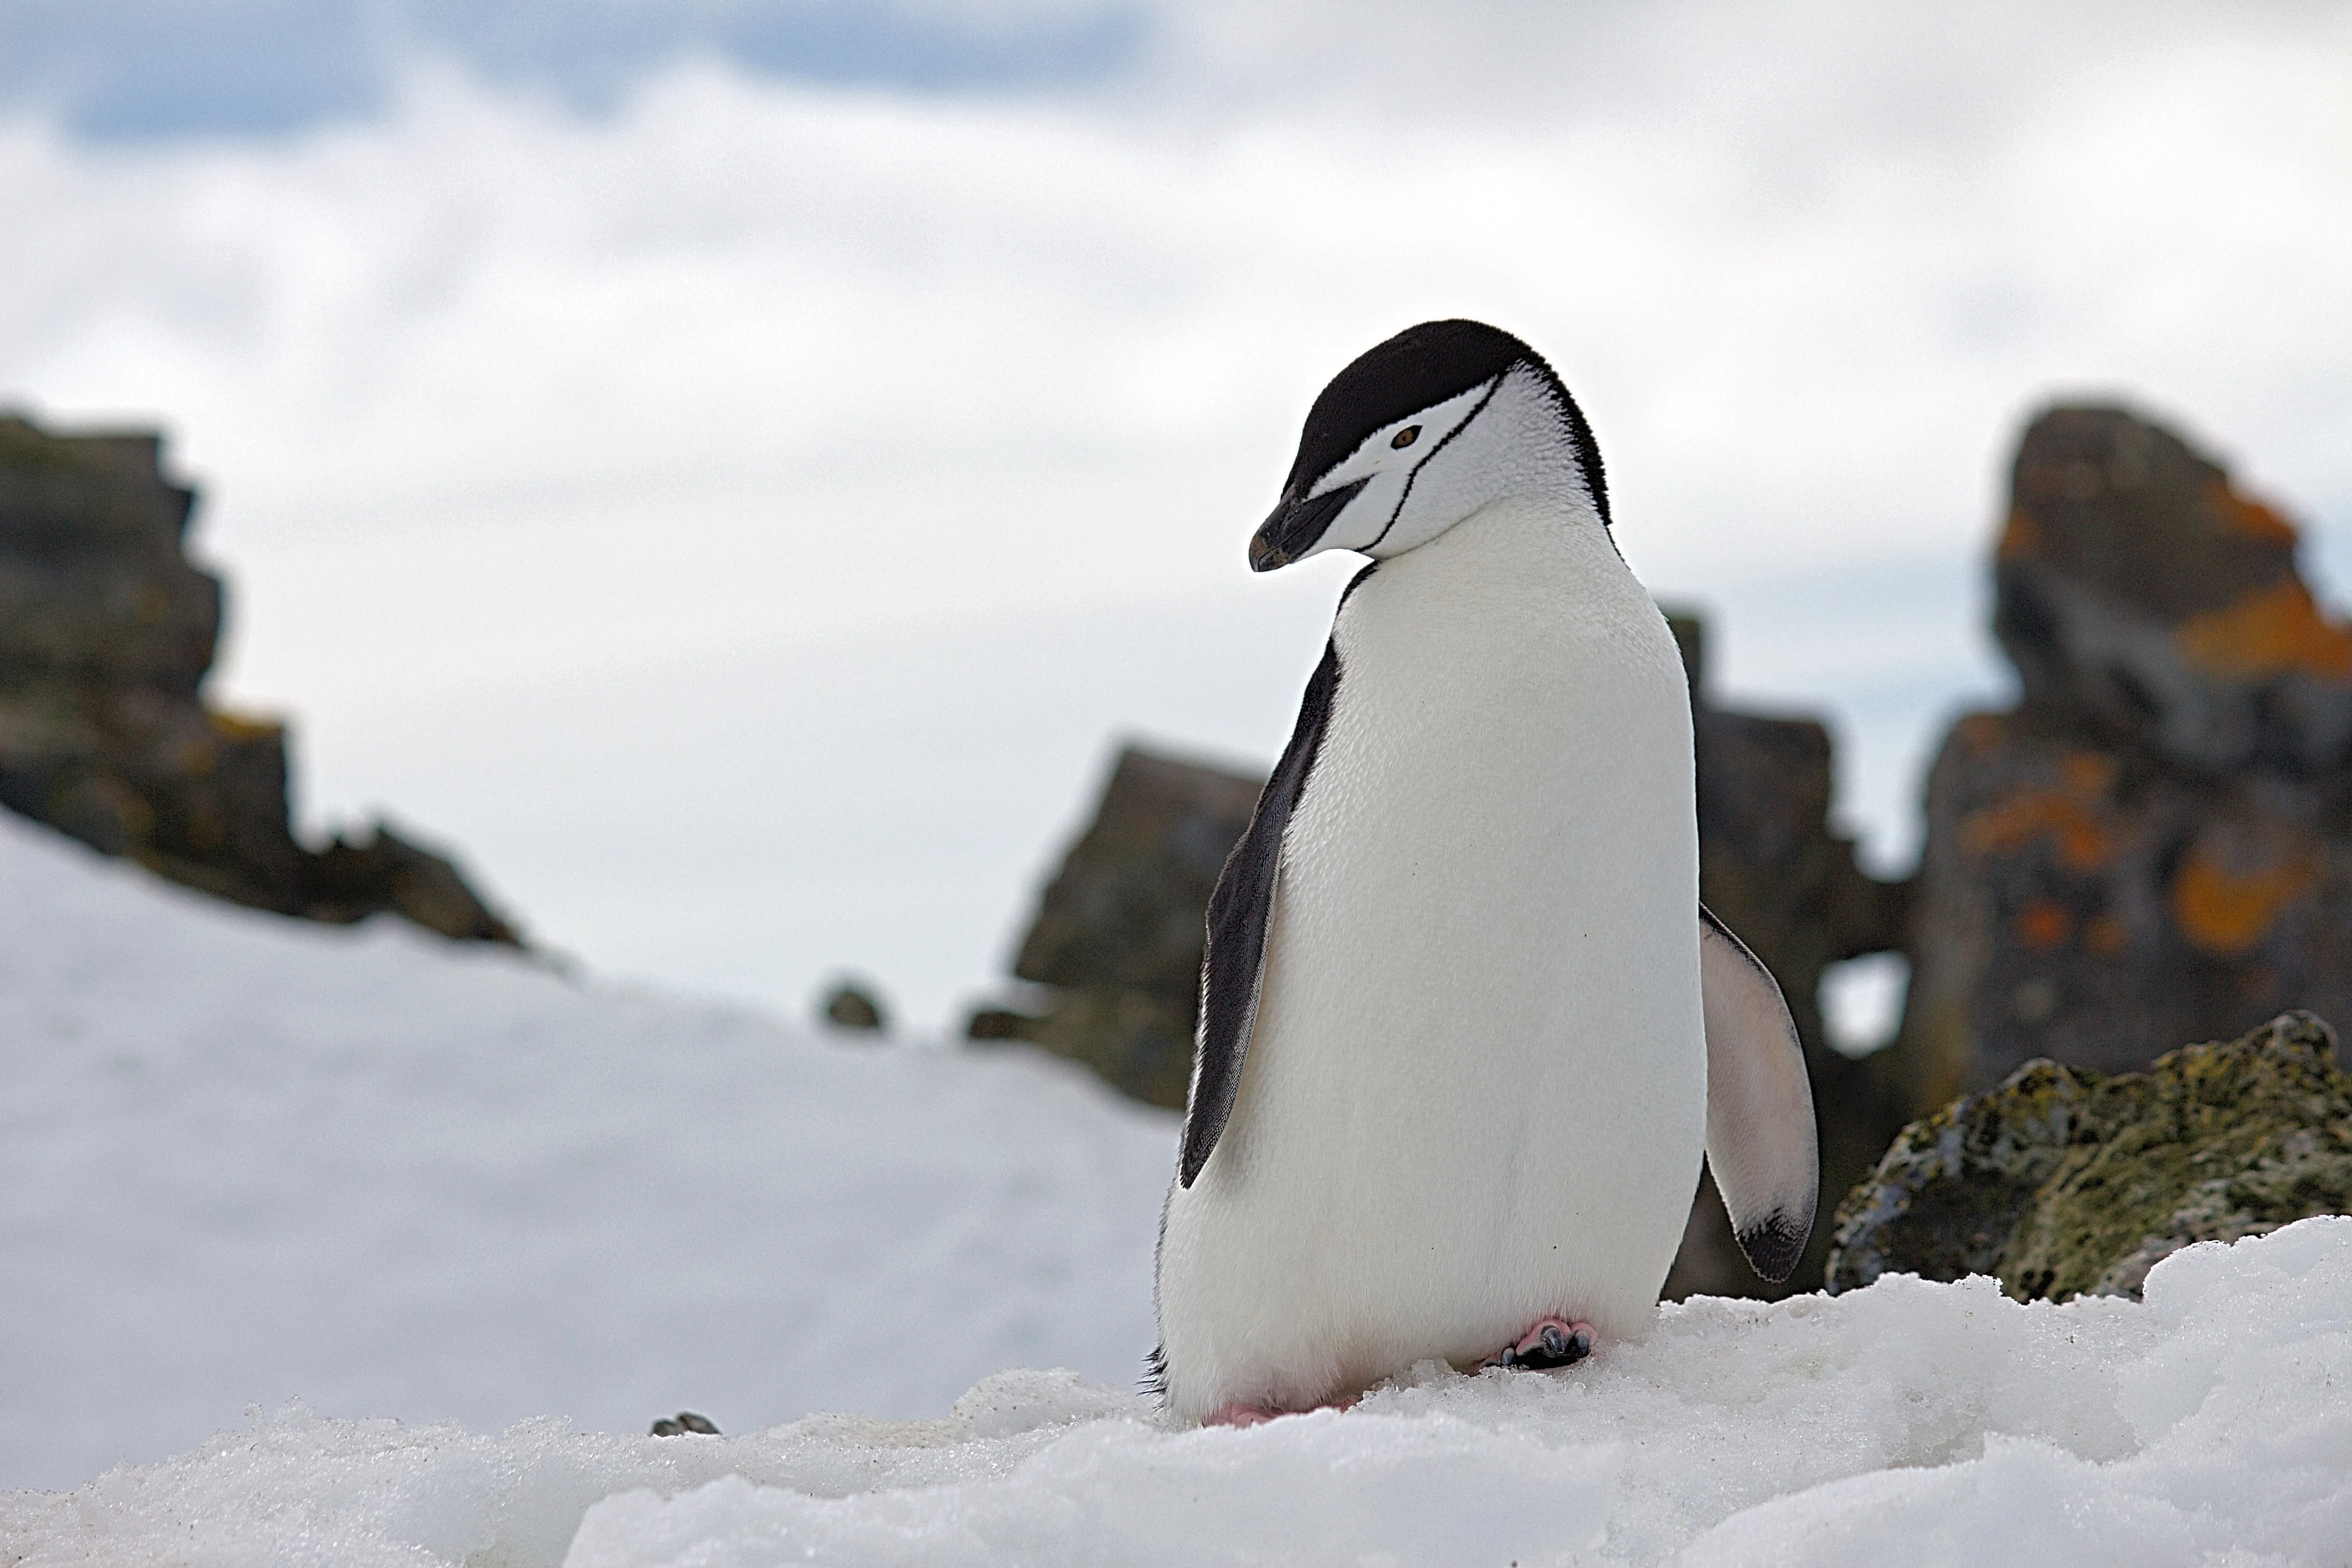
{"x":1241,"y":913}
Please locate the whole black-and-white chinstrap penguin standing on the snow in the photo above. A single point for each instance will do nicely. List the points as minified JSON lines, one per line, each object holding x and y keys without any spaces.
{"x":1466,"y":1028}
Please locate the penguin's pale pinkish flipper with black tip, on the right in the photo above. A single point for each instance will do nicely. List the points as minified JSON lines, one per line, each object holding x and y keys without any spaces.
{"x":1760,"y":1104}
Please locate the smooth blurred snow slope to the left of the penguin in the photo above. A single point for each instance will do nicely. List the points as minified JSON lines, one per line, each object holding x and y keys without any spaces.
{"x":248,"y":1160}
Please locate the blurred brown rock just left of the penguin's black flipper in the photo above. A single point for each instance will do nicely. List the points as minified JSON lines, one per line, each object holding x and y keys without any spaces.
{"x":1121,"y":927}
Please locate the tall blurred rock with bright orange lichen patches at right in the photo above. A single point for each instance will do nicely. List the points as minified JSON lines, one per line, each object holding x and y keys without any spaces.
{"x":2156,"y":843}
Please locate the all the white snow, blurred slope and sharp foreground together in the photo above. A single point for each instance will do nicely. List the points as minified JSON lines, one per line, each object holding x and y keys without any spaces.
{"x":248,"y":1160}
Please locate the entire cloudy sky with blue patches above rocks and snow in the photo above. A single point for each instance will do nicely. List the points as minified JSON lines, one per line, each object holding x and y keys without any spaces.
{"x":737,"y":471}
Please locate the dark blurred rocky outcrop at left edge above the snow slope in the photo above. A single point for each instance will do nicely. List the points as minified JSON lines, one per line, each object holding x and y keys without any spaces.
{"x":107,"y":634}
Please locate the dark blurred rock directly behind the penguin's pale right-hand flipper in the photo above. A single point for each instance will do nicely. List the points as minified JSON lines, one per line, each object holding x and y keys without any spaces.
{"x":1772,"y":869}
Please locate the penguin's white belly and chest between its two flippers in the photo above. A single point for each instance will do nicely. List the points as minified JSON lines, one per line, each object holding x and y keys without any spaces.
{"x":1476,"y":1087}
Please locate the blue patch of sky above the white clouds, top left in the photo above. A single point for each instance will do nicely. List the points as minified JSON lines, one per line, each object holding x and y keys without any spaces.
{"x":173,"y":69}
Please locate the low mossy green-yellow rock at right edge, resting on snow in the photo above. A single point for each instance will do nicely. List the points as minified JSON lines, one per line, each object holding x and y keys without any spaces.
{"x":2076,"y":1184}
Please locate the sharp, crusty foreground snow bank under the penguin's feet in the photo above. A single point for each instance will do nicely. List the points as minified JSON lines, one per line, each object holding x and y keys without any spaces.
{"x":1911,"y":1423}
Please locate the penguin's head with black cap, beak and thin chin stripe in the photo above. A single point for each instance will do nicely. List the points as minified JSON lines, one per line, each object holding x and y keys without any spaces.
{"x":1419,"y":434}
